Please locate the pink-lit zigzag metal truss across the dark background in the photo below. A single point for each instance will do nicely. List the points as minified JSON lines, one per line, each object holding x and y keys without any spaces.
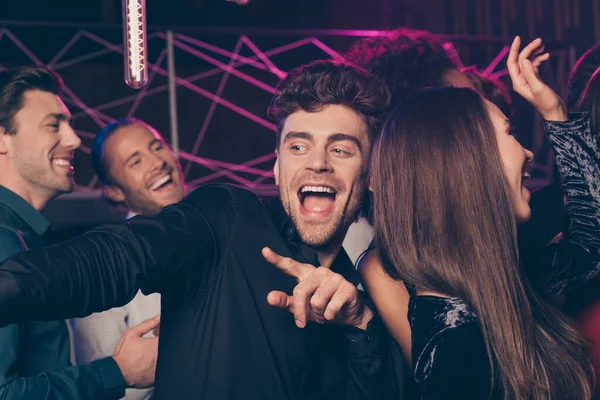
{"x":248,"y":173}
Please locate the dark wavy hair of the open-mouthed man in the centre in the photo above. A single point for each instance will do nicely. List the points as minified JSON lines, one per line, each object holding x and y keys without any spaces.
{"x":321,"y":83}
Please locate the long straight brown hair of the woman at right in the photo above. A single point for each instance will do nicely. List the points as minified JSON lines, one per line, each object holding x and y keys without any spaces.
{"x":444,"y":222}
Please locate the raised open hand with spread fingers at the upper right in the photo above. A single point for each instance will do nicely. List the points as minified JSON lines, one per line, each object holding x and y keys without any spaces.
{"x":523,"y":68}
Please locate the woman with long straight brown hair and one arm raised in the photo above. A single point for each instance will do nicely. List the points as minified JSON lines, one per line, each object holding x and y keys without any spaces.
{"x":447,"y":180}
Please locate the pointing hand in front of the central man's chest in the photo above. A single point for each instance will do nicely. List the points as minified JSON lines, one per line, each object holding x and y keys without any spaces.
{"x":320,"y":296}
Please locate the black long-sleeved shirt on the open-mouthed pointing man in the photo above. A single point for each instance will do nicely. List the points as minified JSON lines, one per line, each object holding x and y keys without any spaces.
{"x":219,"y":337}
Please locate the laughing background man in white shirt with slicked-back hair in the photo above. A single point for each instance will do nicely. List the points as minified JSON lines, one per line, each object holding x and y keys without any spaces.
{"x":137,"y":168}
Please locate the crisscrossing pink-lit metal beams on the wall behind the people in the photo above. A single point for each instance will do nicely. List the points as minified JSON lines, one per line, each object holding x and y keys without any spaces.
{"x":200,"y":49}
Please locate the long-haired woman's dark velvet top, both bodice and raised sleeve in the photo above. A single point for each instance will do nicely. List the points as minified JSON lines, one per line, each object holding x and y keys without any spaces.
{"x":449,"y":357}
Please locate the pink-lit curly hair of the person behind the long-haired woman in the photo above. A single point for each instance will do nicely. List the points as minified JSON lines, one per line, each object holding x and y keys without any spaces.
{"x":405,"y":59}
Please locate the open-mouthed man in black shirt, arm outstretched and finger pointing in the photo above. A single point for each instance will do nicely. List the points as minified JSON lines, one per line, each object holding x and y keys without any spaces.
{"x":220,"y":338}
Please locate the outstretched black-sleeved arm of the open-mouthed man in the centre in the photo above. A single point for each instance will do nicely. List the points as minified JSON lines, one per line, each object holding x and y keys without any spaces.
{"x":104,"y":267}
